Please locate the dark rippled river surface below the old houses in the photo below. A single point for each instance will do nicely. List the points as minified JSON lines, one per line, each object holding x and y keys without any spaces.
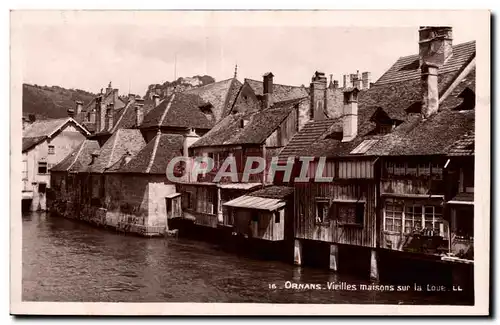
{"x":66,"y":260}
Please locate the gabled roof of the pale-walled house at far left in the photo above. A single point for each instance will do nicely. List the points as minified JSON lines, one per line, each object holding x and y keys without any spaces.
{"x":40,"y":130}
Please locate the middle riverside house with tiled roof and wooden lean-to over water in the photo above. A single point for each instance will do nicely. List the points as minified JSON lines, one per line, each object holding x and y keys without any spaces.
{"x":257,"y":126}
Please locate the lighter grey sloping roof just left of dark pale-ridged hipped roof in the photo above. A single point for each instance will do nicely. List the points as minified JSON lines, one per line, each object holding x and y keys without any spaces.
{"x":121,"y":142}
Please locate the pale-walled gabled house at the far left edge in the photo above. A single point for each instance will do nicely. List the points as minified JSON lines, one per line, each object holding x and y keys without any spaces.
{"x":46,"y":143}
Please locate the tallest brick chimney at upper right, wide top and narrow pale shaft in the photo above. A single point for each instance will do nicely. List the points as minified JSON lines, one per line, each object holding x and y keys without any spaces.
{"x":435,"y":47}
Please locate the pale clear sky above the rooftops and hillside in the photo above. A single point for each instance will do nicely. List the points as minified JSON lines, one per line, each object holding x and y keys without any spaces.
{"x":85,"y":54}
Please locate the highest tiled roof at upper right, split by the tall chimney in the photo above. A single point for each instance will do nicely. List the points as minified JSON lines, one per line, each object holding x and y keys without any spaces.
{"x":462,"y":53}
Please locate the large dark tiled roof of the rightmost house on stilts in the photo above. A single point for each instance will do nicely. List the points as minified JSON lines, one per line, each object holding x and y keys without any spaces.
{"x":398,"y":98}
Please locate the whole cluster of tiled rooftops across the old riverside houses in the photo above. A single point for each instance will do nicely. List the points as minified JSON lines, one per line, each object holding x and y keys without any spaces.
{"x":141,"y":135}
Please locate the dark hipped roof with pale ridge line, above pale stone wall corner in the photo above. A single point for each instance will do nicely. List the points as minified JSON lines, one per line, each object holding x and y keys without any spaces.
{"x":155,"y":156}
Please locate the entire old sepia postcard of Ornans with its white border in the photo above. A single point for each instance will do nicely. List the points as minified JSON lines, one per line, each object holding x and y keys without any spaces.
{"x":250,"y":162}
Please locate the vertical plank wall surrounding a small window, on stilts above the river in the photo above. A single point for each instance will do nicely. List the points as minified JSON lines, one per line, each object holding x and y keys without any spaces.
{"x":305,"y":212}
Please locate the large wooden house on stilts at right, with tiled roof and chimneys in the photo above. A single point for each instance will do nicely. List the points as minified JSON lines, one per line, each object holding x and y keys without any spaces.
{"x":384,"y":158}
